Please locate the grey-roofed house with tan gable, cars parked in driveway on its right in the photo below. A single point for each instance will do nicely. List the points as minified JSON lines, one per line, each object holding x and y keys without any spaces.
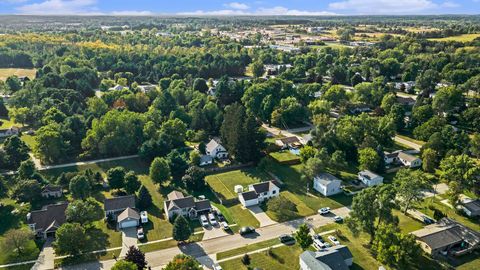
{"x":177,"y":204}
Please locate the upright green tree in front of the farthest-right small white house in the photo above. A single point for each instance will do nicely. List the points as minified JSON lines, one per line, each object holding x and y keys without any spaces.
{"x":409,"y":186}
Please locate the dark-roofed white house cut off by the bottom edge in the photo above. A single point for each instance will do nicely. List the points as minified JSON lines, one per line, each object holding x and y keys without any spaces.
{"x":333,"y":258}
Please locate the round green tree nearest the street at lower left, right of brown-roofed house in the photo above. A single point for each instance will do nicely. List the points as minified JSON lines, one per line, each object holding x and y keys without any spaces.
{"x":71,"y":239}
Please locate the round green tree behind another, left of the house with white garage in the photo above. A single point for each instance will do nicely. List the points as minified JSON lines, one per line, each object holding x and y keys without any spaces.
{"x":84,"y":211}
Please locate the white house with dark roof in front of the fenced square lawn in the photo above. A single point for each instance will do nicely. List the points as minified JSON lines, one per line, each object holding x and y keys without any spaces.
{"x":258,"y":193}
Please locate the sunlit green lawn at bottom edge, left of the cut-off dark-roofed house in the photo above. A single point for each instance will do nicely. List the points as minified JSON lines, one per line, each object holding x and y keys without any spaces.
{"x":285,"y":257}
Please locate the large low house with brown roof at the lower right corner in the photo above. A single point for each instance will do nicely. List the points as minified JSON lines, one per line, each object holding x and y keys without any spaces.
{"x":447,"y":237}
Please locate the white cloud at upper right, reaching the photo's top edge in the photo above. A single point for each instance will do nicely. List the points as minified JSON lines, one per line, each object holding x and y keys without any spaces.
{"x":384,"y":6}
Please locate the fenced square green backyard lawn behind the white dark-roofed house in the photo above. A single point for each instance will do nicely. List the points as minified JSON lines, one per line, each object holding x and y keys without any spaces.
{"x":224,"y":183}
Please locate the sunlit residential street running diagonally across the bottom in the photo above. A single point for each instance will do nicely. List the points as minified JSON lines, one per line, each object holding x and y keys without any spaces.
{"x":206,"y":250}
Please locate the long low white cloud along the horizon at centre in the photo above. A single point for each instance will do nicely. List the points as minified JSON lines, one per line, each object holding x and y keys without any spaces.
{"x":259,"y":12}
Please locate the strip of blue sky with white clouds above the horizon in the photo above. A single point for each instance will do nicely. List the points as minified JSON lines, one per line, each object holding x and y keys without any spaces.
{"x":246,"y":7}
